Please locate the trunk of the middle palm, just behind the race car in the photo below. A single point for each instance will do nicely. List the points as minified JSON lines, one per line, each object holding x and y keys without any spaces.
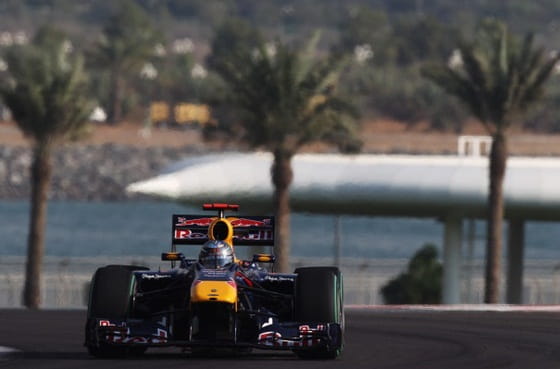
{"x":282,"y":176}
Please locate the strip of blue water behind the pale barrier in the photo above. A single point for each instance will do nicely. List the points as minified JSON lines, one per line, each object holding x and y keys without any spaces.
{"x":84,"y":229}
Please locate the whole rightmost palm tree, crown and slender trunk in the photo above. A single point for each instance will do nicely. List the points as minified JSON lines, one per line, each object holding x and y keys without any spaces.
{"x":500,"y":77}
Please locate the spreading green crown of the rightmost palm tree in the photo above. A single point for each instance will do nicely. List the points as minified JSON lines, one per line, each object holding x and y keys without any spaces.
{"x":501,"y":76}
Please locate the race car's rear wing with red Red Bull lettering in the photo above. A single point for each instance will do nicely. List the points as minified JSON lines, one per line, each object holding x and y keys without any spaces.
{"x":247,"y":230}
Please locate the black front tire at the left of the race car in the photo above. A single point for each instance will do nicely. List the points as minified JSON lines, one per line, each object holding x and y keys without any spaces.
{"x":110,"y":298}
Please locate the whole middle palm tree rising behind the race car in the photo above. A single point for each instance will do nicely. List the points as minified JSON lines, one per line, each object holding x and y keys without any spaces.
{"x":287,"y":99}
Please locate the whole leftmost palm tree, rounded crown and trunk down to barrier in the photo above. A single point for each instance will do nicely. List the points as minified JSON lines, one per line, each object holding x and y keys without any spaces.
{"x":44,"y":89}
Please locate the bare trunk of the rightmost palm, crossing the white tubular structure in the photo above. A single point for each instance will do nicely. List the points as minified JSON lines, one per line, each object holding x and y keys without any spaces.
{"x":498,"y":159}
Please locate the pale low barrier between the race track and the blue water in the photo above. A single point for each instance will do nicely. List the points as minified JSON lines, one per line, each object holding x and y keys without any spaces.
{"x":65,"y":281}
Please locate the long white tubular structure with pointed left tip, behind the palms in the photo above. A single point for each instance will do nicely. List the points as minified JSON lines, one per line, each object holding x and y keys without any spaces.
{"x":365,"y":184}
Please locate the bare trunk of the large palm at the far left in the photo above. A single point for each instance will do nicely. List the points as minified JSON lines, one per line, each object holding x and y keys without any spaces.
{"x":40,"y":177}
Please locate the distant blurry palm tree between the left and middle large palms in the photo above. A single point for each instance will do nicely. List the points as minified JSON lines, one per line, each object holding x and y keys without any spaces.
{"x":129,"y":40}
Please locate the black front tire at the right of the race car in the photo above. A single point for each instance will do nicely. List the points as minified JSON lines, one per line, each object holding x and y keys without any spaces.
{"x":319,"y":299}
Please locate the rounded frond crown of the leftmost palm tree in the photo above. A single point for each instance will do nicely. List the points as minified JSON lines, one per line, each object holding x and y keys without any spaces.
{"x":47,"y":94}
